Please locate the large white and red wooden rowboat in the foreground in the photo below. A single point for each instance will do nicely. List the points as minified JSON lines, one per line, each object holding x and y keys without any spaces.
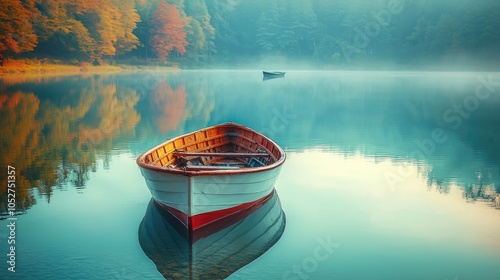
{"x":208,"y":174}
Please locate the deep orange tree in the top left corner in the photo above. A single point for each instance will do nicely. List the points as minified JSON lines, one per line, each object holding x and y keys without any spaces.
{"x":16,"y":28}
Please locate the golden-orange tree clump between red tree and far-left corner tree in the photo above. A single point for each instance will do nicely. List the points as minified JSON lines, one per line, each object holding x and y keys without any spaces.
{"x":87,"y":30}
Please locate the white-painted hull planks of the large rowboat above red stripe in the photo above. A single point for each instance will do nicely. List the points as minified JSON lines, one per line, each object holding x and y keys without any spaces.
{"x":196,"y":195}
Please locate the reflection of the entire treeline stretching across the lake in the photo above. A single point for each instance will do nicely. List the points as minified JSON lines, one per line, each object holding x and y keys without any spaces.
{"x":57,"y":131}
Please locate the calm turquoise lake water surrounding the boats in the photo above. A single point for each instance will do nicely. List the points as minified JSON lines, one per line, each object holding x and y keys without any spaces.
{"x":389,"y":175}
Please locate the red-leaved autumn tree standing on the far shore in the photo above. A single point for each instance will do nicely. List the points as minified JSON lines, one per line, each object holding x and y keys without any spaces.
{"x":167,"y":31}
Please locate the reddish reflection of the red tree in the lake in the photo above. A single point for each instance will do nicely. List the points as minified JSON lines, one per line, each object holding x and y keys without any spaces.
{"x":168,"y":106}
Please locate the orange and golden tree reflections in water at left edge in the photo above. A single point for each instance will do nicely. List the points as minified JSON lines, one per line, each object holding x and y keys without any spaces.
{"x":56,"y":141}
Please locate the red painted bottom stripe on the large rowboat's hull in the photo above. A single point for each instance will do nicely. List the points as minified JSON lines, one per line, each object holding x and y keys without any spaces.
{"x":195,"y":222}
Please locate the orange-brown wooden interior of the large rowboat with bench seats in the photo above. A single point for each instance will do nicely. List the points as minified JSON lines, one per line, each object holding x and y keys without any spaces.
{"x":224,"y":147}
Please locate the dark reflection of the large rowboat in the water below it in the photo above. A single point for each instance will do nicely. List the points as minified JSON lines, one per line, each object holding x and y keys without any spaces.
{"x":215,"y":250}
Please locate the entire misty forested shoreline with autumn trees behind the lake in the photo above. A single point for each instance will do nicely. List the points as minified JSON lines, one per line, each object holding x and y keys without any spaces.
{"x":211,"y":33}
